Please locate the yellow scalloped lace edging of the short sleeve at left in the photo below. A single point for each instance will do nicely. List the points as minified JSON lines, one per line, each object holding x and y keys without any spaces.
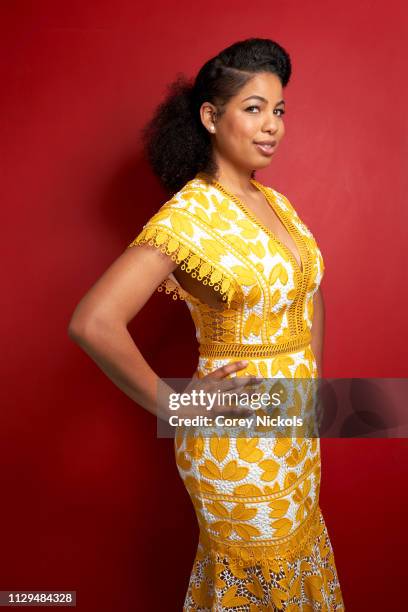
{"x":194,"y":264}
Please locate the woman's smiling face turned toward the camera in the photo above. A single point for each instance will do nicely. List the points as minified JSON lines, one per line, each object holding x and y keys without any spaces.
{"x":254,"y":115}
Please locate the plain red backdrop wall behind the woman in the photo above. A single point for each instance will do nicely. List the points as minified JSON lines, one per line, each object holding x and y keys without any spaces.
{"x":92,"y":501}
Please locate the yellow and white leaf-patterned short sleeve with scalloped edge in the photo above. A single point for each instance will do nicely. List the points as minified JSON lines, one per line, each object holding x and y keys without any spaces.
{"x":191,"y":242}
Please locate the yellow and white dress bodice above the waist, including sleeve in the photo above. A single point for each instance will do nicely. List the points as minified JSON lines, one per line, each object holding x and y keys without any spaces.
{"x":267,"y":296}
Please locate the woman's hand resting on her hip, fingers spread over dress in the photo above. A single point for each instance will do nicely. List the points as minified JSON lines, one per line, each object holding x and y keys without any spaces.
{"x":218,"y":382}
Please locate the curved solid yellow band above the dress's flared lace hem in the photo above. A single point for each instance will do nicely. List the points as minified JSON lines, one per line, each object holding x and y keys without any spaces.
{"x":267,"y":551}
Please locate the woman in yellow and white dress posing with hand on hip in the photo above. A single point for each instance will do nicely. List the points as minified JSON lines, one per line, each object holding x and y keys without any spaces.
{"x":249,"y":270}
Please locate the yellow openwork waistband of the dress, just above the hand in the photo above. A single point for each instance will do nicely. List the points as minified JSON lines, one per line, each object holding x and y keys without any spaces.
{"x":238,"y":349}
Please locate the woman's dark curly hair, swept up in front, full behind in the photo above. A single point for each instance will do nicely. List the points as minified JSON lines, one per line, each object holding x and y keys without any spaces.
{"x":177,"y":144}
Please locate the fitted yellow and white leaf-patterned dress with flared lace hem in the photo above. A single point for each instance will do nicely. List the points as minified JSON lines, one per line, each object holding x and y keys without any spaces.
{"x":263,"y":541}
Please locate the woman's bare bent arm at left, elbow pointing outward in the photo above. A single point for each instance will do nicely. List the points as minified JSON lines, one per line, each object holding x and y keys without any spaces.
{"x":99,"y":322}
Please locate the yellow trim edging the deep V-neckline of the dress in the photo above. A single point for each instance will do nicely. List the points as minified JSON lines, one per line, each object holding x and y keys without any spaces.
{"x":282,"y":217}
